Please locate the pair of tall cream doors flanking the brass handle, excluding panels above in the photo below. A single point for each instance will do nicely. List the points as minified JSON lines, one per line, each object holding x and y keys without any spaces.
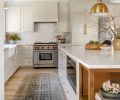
{"x":78,"y":22}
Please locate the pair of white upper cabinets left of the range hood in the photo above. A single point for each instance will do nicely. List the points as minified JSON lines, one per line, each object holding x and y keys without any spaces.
{"x":19,"y":18}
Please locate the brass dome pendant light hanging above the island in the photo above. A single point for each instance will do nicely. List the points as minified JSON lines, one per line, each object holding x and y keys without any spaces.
{"x":100,"y":9}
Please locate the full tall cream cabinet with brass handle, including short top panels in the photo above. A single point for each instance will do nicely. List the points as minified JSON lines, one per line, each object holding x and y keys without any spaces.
{"x":79,"y":17}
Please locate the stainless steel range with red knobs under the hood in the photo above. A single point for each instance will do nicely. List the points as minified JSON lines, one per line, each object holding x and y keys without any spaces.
{"x":45,"y":54}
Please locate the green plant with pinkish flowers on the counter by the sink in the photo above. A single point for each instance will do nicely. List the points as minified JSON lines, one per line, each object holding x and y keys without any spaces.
{"x":12,"y":38}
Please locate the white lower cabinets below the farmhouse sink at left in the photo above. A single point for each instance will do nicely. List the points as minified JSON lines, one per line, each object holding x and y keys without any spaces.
{"x":11,"y":64}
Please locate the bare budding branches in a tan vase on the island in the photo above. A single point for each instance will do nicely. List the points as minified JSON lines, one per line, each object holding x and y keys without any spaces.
{"x":112,"y":28}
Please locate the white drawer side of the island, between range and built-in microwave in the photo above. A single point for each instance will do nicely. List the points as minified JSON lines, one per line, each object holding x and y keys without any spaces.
{"x":62,"y":74}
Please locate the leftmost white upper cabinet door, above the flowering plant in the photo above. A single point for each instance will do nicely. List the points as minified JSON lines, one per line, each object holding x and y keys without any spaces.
{"x":13,"y":19}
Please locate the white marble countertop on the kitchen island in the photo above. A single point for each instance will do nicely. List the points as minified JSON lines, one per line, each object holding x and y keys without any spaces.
{"x":93,"y":59}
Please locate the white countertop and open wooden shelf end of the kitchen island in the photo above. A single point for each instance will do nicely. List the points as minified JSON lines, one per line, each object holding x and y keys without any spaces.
{"x":95,"y":67}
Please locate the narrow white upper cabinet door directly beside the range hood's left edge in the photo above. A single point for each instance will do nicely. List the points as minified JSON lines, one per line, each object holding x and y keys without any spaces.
{"x":26,"y":18}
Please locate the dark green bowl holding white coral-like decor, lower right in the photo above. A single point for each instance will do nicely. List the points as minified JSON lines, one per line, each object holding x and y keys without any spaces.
{"x":109,"y":95}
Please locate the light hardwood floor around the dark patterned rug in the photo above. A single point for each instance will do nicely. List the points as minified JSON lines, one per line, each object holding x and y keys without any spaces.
{"x":15,"y":81}
